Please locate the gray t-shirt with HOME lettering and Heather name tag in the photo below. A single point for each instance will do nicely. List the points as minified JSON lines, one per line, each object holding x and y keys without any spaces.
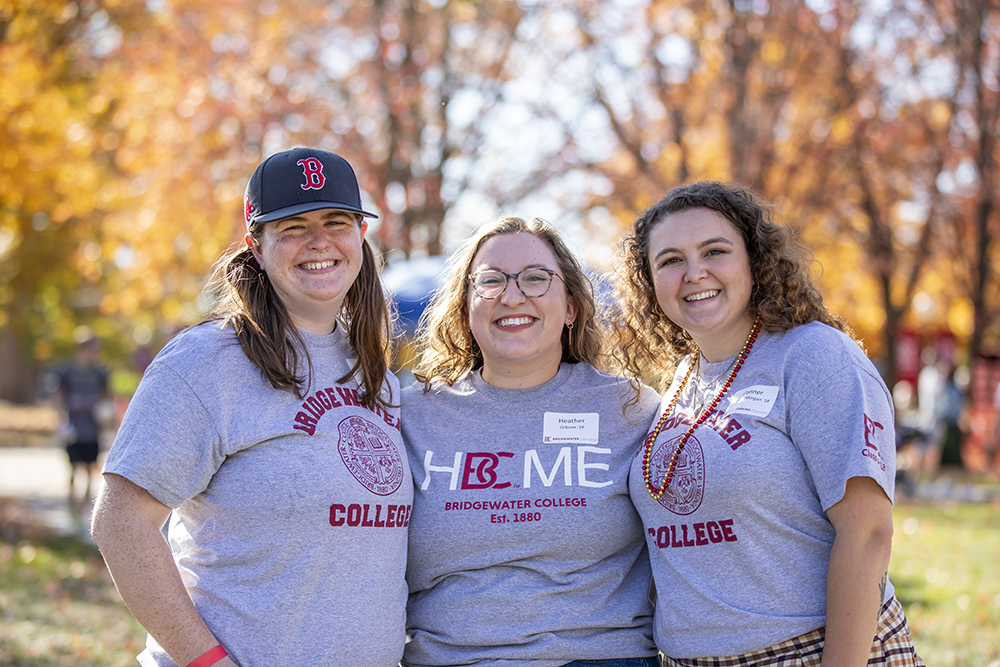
{"x":524,"y":546}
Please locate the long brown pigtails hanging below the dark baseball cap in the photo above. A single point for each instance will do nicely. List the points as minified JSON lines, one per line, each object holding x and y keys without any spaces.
{"x":250,"y":305}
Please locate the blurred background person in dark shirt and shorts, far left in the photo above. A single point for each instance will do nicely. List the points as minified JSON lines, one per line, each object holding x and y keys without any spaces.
{"x":82,"y":389}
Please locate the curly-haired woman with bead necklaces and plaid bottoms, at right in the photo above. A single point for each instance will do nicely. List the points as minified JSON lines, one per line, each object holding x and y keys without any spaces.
{"x":765,"y":485}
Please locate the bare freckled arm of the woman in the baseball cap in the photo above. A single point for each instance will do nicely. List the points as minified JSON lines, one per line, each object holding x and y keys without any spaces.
{"x":126,"y":526}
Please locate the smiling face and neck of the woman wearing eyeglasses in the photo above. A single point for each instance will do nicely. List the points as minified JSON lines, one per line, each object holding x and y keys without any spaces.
{"x":520,"y":337}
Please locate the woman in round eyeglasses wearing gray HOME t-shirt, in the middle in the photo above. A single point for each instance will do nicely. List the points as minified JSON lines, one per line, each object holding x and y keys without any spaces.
{"x":524,"y":546}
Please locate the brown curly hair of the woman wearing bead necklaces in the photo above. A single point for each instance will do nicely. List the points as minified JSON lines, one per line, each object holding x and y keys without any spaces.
{"x":647,"y":344}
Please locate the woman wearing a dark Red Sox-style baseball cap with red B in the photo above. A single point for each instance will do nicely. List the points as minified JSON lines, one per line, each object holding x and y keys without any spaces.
{"x":269,"y":435}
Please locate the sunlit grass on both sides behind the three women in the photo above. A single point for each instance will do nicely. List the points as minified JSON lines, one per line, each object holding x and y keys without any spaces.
{"x":59,"y":608}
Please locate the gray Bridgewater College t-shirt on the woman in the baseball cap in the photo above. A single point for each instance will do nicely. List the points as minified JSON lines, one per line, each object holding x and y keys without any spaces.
{"x":289,"y":521}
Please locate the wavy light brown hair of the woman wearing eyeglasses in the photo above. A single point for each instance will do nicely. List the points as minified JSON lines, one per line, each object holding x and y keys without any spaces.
{"x":447,"y":349}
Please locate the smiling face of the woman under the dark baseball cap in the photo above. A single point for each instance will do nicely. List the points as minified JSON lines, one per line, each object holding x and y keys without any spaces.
{"x":312,"y":260}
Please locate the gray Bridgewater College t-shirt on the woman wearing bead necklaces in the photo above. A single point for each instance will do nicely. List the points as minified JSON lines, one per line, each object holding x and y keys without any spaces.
{"x":740,"y":541}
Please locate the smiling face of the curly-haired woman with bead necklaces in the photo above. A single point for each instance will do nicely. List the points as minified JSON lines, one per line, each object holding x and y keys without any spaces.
{"x":702,"y":279}
